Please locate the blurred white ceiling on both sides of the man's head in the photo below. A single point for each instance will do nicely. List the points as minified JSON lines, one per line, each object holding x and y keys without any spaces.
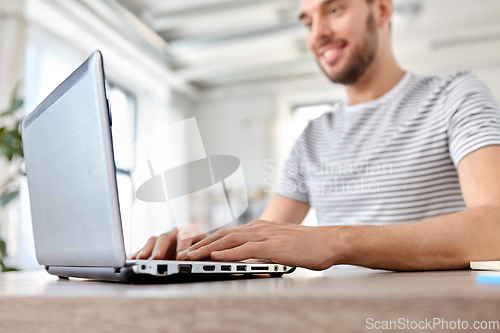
{"x":225,"y":42}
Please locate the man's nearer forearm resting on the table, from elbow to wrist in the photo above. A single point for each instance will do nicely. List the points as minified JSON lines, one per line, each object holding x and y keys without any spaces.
{"x":445,"y":242}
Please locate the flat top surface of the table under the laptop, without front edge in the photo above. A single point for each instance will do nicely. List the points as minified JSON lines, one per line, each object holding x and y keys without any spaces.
{"x":338,"y":282}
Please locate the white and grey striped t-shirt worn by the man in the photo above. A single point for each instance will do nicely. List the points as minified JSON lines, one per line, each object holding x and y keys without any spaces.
{"x":393,"y":159}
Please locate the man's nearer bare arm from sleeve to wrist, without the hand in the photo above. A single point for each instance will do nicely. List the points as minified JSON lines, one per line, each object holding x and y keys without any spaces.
{"x":446,"y":242}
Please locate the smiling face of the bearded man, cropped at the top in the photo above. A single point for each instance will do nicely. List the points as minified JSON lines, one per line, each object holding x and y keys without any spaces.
{"x":342,"y":35}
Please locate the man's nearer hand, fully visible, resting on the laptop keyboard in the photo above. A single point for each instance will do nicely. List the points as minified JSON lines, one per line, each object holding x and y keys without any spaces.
{"x":284,"y":243}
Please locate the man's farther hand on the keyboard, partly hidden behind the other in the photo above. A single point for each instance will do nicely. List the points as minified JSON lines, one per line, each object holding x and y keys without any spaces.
{"x":168,"y":245}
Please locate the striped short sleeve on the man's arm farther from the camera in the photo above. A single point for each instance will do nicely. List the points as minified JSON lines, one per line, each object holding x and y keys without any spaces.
{"x":293,"y":182}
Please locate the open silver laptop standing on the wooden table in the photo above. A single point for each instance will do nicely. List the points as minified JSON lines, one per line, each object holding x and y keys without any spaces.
{"x":73,"y":190}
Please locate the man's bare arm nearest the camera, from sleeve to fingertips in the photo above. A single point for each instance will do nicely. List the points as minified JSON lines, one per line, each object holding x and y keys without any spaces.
{"x":445,"y":242}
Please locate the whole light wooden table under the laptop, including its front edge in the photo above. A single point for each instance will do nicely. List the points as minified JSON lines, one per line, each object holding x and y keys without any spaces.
{"x":341,"y":301}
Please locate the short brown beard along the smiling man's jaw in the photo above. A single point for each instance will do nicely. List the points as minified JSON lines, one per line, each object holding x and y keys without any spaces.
{"x":362,"y":59}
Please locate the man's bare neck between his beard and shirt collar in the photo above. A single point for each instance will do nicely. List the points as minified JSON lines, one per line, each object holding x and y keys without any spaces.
{"x":378,"y":80}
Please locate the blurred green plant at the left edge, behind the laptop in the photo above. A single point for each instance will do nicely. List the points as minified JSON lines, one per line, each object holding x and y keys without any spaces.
{"x":11,"y":148}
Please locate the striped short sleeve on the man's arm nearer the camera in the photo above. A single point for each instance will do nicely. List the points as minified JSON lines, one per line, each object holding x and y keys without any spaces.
{"x":474,"y":116}
